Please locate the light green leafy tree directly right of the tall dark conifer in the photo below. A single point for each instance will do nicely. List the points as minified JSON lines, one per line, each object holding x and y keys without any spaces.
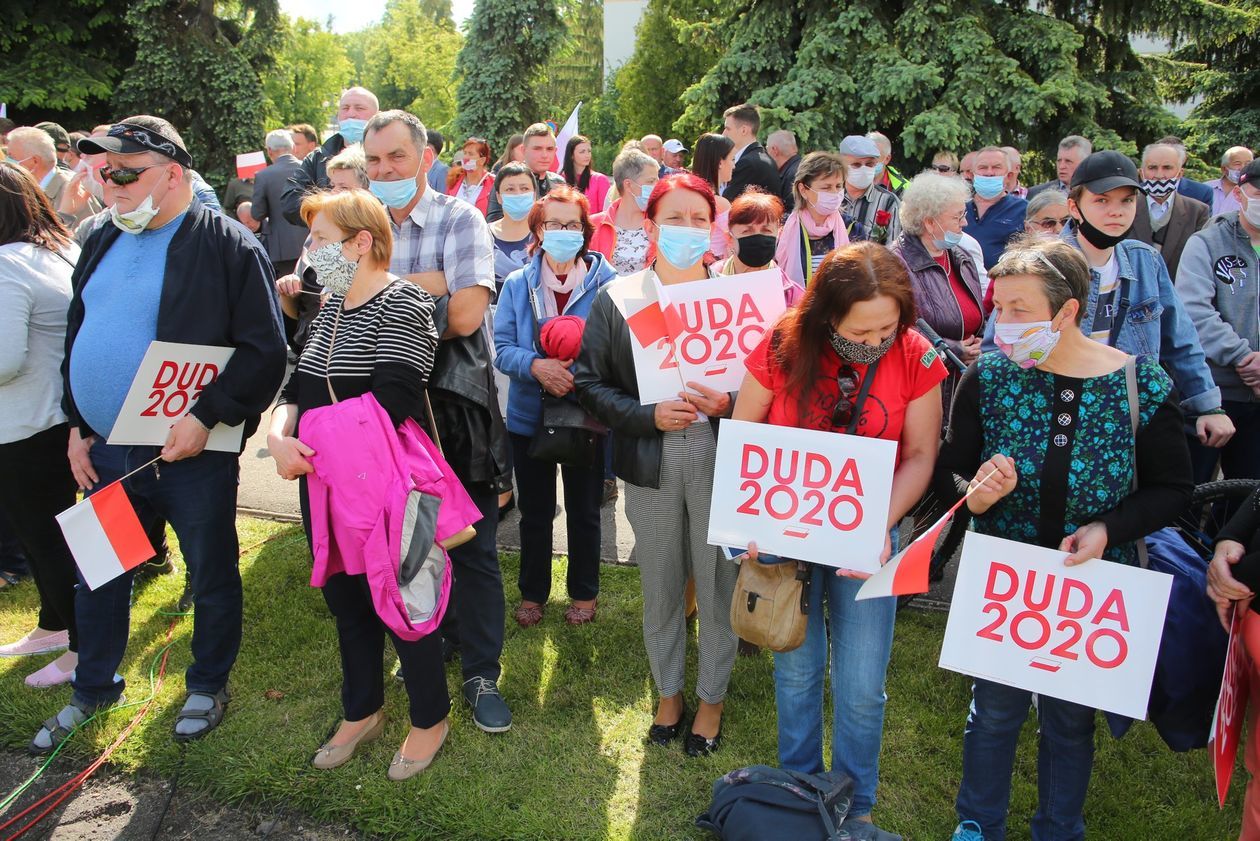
{"x":312,"y":70}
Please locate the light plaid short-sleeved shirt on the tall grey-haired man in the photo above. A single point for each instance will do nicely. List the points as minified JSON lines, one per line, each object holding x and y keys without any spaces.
{"x":444,"y":234}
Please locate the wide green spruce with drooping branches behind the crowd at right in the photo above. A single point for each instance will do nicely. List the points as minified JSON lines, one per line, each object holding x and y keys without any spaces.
{"x":941,"y":76}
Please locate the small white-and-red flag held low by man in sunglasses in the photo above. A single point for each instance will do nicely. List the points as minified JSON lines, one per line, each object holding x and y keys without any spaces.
{"x":105,"y":536}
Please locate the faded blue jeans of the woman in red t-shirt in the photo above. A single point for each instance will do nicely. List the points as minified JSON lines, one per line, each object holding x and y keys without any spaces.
{"x":861,"y":642}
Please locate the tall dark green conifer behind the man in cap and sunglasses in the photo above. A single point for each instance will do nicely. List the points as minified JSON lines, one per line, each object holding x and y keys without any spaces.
{"x":201,"y":71}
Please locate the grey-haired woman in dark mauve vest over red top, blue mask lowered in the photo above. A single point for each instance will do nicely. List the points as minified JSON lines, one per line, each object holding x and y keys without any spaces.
{"x":943,"y":275}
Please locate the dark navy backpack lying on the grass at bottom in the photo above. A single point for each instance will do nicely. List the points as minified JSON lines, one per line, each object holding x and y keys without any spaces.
{"x":763,"y":804}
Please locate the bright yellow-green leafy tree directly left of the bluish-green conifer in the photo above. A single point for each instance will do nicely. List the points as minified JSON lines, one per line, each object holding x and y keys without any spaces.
{"x":409,"y":60}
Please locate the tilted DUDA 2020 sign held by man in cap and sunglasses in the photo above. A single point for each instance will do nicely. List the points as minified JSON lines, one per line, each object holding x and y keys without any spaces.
{"x":167,"y":385}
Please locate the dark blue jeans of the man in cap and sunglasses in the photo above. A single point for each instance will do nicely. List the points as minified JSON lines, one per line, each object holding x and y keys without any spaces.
{"x":198,"y":499}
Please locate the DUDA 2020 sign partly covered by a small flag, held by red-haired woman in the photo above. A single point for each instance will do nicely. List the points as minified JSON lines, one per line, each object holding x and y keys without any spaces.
{"x":701,"y":331}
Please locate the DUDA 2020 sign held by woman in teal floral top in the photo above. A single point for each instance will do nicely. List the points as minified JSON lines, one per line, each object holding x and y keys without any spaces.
{"x":1087,"y":634}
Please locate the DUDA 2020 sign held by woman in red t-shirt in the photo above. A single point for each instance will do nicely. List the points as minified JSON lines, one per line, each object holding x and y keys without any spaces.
{"x":812,"y":496}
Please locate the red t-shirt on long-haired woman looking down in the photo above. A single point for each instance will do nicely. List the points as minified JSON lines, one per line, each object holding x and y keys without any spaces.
{"x":909,"y":371}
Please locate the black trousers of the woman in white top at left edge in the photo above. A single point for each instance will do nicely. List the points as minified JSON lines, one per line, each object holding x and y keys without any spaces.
{"x":37,"y":485}
